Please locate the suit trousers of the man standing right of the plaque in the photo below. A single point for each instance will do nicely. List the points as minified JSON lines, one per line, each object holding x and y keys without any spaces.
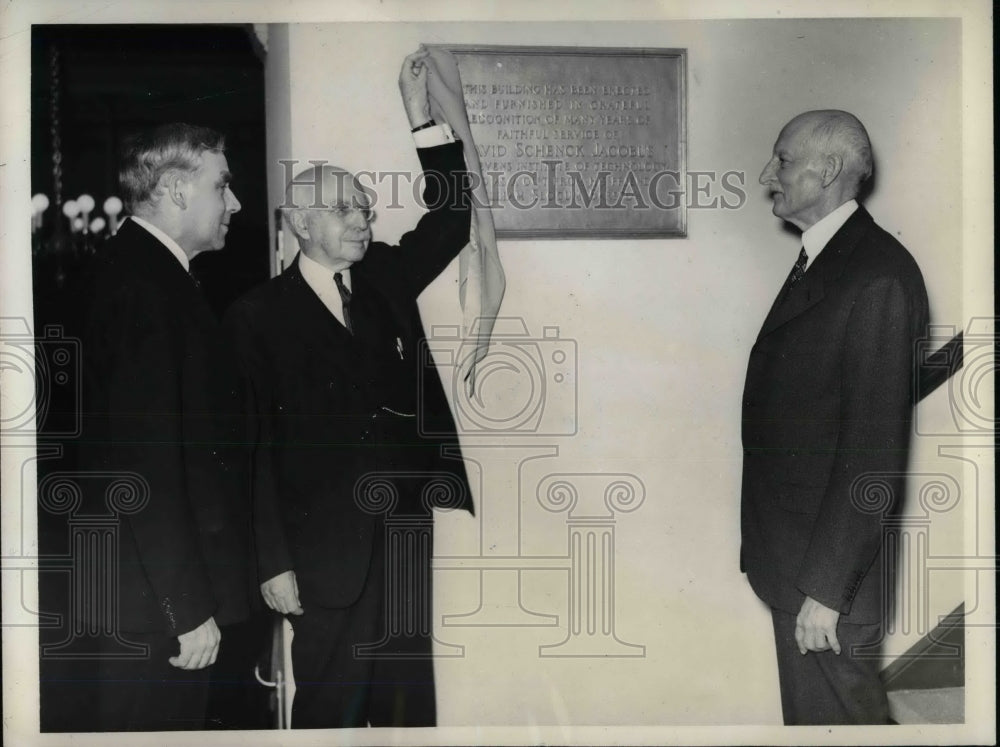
{"x":821,"y":687}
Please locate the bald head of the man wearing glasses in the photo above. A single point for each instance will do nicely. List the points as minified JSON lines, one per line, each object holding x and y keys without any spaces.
{"x":328,"y":211}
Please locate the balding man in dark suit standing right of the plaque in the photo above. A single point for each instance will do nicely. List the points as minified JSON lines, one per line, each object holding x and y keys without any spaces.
{"x":827,"y":404}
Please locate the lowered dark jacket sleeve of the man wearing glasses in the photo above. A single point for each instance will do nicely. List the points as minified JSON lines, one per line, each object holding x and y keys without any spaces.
{"x":273,"y":555}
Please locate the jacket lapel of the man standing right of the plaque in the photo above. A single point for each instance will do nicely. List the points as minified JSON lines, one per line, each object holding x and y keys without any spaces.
{"x":825,"y":271}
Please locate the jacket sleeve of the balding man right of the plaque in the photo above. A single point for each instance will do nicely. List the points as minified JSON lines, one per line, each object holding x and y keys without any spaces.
{"x":875,"y":417}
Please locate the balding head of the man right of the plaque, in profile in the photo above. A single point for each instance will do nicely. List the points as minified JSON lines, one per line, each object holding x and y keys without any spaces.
{"x":818,"y":163}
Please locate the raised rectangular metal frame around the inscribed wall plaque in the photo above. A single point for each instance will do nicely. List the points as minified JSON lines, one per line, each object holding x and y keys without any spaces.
{"x":674,"y":222}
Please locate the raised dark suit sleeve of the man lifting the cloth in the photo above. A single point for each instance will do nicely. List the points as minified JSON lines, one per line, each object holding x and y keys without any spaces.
{"x":442,"y":232}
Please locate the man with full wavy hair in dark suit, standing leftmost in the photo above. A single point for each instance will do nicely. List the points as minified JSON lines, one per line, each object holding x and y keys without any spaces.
{"x":161,"y":402}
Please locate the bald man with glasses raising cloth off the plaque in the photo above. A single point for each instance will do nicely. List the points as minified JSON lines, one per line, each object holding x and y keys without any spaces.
{"x":330,"y":352}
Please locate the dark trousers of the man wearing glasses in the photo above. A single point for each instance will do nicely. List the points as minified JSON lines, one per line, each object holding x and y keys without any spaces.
{"x":394,"y":686}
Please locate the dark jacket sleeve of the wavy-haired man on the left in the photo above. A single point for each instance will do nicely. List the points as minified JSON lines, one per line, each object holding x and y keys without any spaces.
{"x":145,"y":370}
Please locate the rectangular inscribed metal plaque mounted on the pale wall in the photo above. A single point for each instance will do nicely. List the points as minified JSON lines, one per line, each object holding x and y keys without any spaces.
{"x":579,"y":142}
